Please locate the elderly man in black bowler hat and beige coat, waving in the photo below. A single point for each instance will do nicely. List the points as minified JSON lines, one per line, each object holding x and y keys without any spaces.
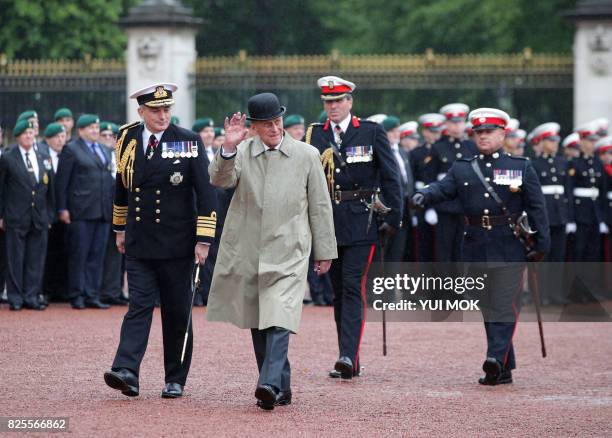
{"x":280,"y":208}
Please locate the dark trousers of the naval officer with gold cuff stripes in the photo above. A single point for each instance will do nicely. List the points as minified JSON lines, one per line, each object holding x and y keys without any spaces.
{"x":171,"y":279}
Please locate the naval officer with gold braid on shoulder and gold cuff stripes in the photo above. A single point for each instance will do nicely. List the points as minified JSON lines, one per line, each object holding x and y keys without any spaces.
{"x":163,"y":216}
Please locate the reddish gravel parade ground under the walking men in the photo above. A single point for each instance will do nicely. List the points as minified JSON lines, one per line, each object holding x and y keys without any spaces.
{"x":52,"y":364}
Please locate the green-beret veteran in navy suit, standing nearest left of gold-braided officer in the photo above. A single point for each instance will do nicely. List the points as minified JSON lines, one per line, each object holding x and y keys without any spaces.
{"x":84,"y":202}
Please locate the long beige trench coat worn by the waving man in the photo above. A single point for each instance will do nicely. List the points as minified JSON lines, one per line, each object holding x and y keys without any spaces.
{"x":281,"y":205}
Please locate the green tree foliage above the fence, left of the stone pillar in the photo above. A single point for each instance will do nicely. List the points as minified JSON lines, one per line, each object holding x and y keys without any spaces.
{"x":62,"y":28}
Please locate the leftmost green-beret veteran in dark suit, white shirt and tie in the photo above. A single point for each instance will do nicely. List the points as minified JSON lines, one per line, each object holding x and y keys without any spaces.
{"x":26,"y":210}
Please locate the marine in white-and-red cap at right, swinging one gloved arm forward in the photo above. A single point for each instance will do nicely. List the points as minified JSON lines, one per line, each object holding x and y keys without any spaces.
{"x":493,"y":190}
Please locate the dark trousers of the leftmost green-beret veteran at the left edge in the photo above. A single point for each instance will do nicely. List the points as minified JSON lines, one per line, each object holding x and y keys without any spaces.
{"x":26,"y":250}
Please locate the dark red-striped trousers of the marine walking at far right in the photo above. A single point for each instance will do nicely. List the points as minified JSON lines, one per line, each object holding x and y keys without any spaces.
{"x":500,"y":306}
